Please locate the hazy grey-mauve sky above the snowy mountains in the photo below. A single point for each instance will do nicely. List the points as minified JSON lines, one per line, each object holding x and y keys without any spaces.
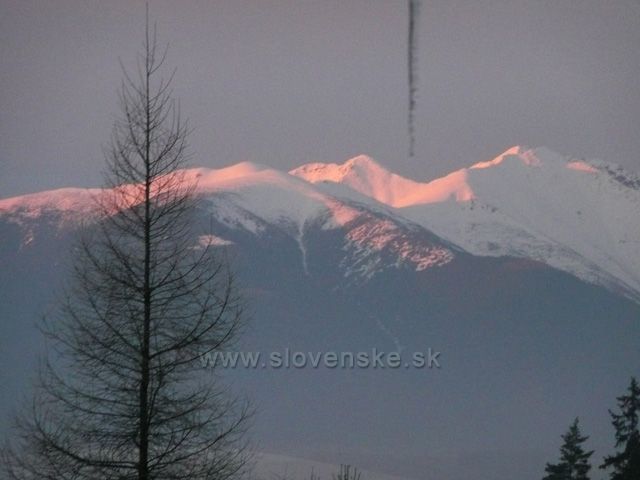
{"x":291,"y":81}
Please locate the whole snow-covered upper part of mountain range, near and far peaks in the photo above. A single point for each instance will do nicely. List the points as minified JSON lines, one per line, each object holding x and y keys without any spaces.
{"x":569,"y":213}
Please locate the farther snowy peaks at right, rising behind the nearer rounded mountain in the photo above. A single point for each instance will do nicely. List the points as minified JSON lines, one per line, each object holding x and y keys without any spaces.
{"x":578,"y":216}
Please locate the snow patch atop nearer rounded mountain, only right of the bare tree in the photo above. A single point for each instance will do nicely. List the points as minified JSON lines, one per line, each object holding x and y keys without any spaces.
{"x":255,"y":197}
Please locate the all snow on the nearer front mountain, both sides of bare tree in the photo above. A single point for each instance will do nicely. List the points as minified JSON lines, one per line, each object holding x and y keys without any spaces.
{"x":256,"y":198}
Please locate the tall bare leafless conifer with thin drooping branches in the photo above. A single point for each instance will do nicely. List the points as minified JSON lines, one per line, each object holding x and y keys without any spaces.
{"x":120,"y":395}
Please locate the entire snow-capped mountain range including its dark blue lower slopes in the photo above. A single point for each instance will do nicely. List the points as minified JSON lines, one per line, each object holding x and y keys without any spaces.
{"x":349,"y":257}
